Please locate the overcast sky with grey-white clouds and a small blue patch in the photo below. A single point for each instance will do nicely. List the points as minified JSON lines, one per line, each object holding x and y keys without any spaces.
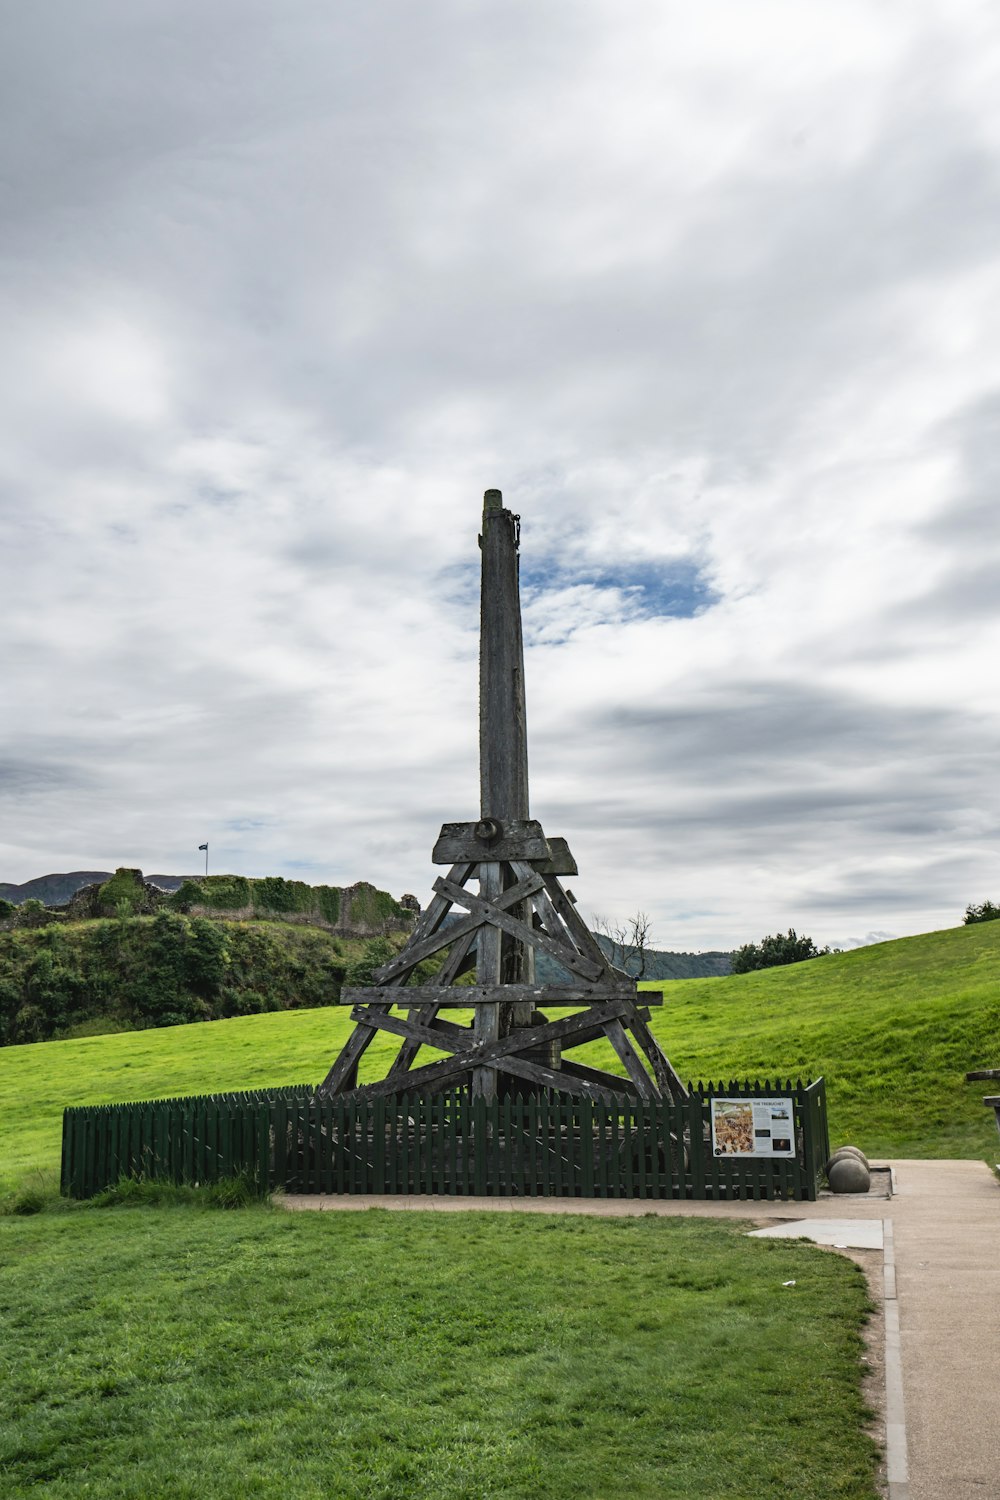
{"x":711,"y":293}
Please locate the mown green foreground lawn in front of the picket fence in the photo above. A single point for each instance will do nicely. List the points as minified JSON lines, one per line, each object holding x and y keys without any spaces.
{"x":191,"y":1354}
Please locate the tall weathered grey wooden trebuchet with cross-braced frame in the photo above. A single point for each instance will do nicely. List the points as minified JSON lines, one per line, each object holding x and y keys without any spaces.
{"x":519,"y":910}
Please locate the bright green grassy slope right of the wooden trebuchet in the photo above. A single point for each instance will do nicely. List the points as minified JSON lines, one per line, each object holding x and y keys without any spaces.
{"x":893,"y":1028}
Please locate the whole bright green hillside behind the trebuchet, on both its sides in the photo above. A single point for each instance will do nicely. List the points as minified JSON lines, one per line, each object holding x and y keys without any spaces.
{"x":893,"y":1030}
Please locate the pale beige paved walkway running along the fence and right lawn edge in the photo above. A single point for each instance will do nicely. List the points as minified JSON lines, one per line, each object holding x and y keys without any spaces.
{"x":941,"y":1232}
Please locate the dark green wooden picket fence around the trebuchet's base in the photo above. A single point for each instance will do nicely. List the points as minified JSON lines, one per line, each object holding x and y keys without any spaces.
{"x":448,"y":1144}
